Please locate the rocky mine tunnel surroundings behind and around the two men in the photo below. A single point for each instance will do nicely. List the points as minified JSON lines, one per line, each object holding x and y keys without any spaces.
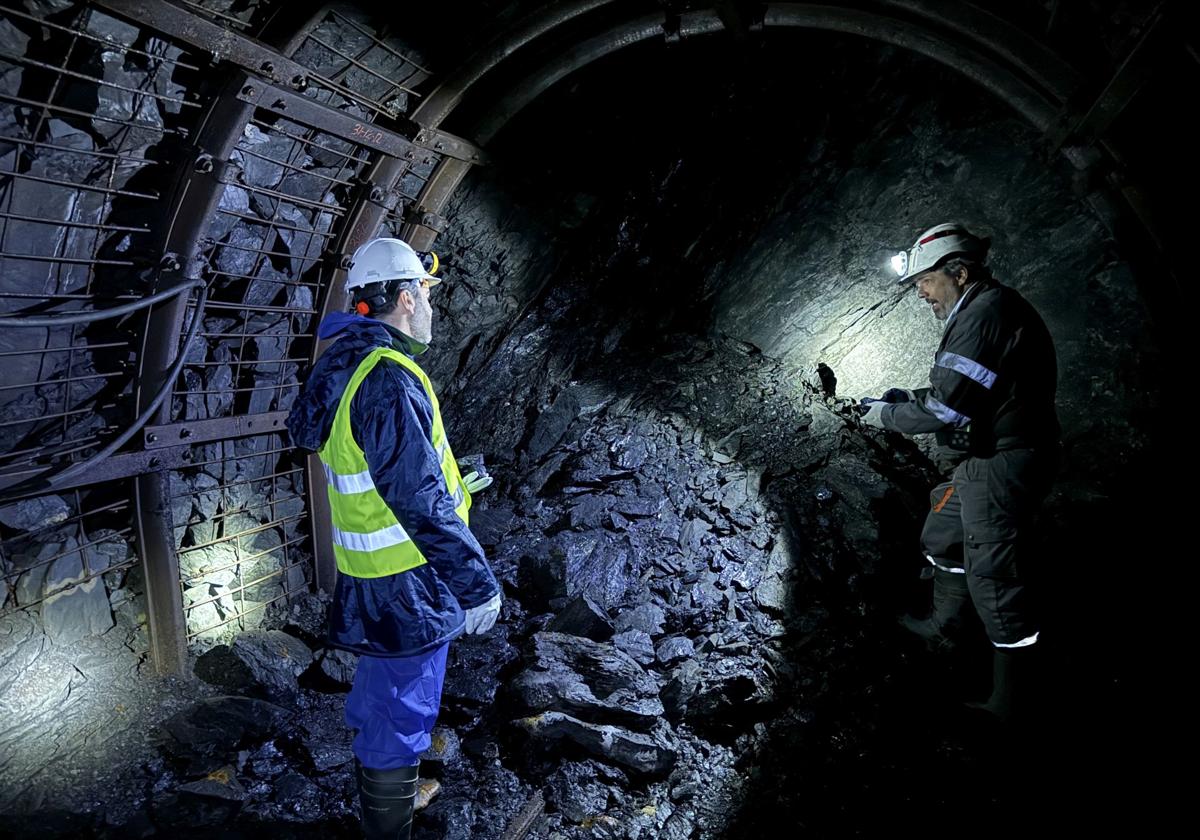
{"x":667,"y":287}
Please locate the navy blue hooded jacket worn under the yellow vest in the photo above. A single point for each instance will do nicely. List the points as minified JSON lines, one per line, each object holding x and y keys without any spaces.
{"x":392,"y":417}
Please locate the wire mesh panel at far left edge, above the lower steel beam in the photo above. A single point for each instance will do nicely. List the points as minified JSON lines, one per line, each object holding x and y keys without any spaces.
{"x":89,"y":109}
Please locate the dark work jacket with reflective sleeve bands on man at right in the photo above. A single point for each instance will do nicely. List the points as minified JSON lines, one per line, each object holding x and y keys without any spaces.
{"x":994,"y":379}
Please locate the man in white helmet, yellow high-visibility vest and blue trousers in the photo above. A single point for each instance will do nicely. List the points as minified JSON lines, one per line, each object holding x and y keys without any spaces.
{"x":411,"y":575}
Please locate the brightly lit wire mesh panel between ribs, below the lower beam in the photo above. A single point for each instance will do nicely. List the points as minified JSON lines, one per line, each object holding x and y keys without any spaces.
{"x":242,"y":526}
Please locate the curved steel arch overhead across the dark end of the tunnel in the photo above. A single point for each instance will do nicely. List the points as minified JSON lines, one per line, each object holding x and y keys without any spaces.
{"x":1016,"y":68}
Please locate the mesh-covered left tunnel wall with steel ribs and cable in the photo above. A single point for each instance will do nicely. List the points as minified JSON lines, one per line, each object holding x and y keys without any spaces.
{"x":131,"y":167}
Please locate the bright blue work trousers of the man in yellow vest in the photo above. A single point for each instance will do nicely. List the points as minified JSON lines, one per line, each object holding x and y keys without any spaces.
{"x":394,"y":706}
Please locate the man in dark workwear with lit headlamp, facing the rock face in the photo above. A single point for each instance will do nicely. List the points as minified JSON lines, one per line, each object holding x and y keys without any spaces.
{"x":992,"y":405}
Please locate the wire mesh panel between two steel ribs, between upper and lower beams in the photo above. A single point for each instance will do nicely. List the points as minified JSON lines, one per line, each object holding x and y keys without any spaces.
{"x":285,"y":195}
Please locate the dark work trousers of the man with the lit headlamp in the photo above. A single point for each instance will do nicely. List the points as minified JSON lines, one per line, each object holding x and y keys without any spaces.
{"x":982,"y":523}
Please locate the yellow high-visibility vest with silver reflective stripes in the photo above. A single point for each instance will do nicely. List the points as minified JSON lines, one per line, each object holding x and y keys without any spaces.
{"x":369,"y":542}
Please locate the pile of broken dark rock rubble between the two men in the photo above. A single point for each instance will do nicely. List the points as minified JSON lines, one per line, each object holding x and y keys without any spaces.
{"x":665,"y":551}
